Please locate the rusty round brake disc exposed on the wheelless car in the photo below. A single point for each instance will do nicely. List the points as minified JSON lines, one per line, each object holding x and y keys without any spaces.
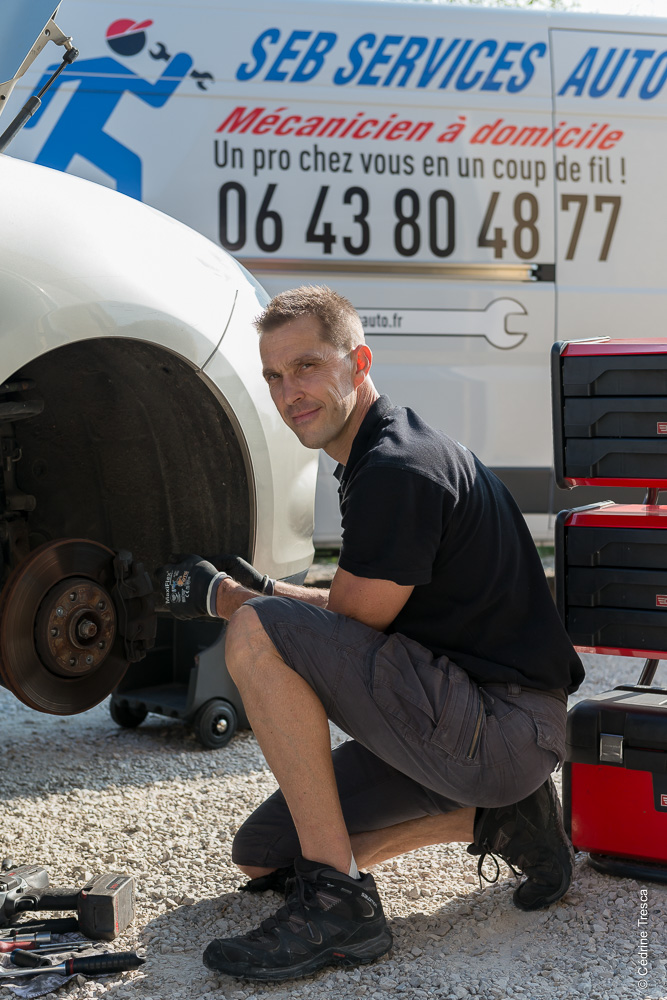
{"x":60,"y":647}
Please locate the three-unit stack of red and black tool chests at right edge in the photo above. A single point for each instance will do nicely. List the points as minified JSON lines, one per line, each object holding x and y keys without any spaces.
{"x":610,"y":429}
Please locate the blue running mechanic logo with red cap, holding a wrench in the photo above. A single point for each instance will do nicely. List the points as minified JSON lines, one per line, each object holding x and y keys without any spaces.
{"x":80,"y":128}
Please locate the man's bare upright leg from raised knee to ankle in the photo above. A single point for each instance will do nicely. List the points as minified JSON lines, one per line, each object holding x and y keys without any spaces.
{"x":292,"y":729}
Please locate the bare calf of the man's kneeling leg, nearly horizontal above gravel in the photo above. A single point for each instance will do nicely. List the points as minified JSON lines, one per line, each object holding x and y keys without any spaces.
{"x":380,"y":845}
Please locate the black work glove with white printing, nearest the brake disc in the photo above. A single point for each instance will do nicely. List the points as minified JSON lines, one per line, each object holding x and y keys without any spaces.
{"x":187,"y":588}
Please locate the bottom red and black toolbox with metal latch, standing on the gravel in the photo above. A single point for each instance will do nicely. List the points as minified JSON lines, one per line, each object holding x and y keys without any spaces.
{"x":615,"y":775}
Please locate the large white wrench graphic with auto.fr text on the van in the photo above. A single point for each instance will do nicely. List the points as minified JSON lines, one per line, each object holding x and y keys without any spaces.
{"x":490,"y":323}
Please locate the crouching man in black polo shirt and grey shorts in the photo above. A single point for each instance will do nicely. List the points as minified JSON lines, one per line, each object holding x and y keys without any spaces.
{"x":438,"y":649}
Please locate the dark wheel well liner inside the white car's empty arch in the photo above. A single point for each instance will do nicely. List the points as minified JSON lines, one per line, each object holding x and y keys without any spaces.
{"x":134,"y":450}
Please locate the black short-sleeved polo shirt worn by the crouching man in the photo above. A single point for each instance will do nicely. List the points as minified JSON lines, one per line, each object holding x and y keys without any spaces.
{"x":419,"y":509}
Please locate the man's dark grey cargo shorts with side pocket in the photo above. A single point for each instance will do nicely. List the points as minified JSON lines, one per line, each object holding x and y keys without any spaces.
{"x":426,"y":739}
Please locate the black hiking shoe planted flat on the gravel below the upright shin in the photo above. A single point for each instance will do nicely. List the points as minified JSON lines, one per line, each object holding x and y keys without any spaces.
{"x":328,"y":919}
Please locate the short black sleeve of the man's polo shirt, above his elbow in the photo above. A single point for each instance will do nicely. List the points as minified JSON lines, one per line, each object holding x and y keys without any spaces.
{"x":393,"y":521}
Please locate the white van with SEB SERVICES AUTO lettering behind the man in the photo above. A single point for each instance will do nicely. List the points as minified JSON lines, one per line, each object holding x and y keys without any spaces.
{"x":479,"y":183}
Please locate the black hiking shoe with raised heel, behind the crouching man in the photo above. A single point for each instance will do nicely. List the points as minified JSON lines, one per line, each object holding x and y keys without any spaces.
{"x":528,"y":836}
